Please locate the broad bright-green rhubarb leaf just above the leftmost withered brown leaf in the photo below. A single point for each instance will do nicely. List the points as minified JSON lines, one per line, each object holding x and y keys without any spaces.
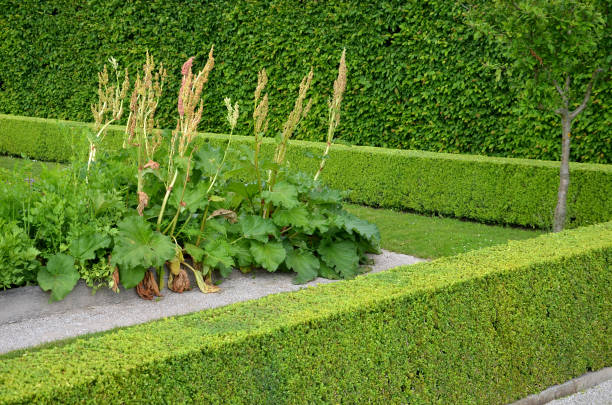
{"x":137,"y":245}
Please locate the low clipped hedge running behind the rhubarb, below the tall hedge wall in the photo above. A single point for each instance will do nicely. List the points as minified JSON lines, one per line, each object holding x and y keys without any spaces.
{"x":496,"y":190}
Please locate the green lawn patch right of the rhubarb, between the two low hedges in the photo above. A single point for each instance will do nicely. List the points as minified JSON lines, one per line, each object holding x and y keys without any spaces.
{"x":433,"y":237}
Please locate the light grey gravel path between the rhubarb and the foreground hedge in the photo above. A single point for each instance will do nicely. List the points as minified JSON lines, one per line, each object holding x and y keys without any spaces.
{"x":28,"y":319}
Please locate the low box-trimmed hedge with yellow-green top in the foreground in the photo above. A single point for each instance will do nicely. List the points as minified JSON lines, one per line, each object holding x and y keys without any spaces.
{"x":489,"y":326}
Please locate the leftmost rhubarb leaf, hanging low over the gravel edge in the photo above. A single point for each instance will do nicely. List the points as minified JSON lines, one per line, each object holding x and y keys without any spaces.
{"x":60,"y":276}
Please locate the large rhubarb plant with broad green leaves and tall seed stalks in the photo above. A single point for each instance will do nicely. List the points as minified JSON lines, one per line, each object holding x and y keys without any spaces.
{"x":170,"y":201}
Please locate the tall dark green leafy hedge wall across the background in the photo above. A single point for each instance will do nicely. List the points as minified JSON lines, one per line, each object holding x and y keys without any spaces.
{"x":417,"y":77}
